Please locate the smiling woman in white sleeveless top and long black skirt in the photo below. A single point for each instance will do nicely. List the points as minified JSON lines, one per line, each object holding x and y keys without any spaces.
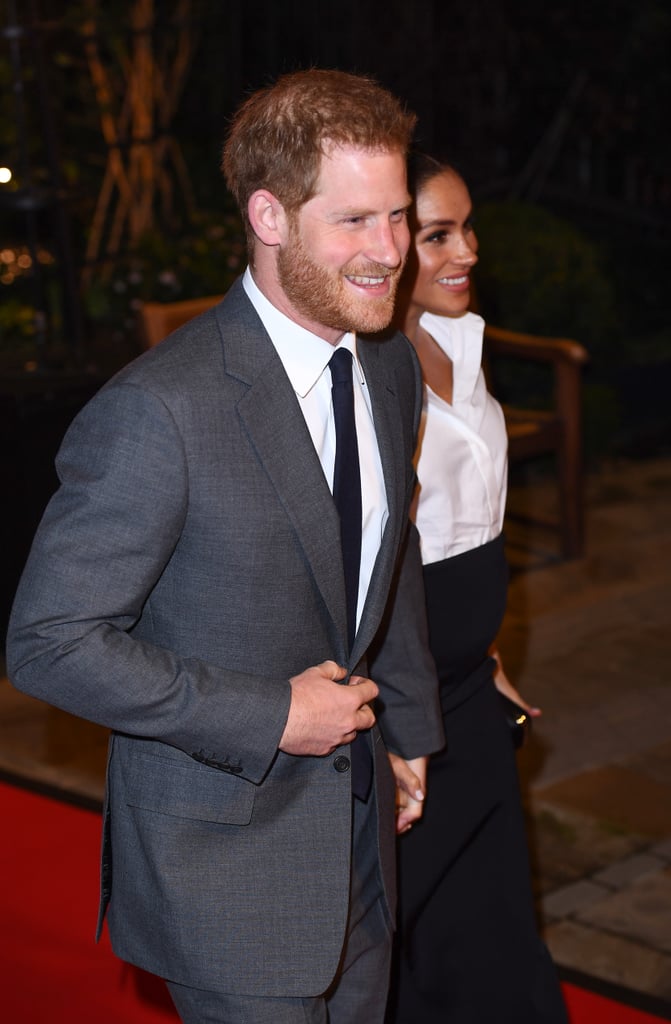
{"x":470,"y":952}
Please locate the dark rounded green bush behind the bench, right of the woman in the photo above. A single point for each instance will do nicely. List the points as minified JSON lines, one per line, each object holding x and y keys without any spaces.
{"x":540,"y":275}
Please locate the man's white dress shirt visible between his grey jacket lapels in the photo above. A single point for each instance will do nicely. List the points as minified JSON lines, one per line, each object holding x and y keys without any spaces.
{"x":306,"y":360}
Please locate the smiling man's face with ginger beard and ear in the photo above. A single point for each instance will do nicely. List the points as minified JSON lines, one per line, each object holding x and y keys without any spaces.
{"x":338,"y":266}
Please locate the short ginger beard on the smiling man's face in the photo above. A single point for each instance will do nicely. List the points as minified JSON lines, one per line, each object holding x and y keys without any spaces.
{"x":320,"y":295}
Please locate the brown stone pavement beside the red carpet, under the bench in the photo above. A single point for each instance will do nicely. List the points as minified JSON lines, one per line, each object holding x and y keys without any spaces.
{"x":589,"y":643}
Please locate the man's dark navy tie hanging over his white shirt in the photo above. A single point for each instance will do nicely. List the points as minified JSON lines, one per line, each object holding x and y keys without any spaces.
{"x":348,"y":497}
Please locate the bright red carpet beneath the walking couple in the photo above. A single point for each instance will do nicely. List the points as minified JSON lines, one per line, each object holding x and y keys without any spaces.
{"x":51,"y":968}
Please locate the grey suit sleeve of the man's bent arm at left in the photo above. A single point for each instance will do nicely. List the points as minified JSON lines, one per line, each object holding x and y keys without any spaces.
{"x":101,"y":549}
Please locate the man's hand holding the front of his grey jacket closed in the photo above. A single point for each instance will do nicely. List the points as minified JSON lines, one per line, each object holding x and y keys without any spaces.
{"x":324,"y":714}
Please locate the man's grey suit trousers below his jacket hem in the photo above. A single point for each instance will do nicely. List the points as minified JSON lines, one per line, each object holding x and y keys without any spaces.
{"x":359,"y":993}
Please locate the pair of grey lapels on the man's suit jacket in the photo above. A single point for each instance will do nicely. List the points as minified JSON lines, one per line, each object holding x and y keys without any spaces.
{"x":277,"y":430}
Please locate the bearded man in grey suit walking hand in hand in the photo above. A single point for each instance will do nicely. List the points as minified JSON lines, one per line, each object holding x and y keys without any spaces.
{"x":186,"y":589}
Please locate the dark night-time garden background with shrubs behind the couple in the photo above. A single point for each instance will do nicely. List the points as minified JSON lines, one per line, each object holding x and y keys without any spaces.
{"x":557,"y":115}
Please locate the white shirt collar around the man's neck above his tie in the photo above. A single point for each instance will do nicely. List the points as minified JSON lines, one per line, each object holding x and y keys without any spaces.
{"x":305,"y":356}
